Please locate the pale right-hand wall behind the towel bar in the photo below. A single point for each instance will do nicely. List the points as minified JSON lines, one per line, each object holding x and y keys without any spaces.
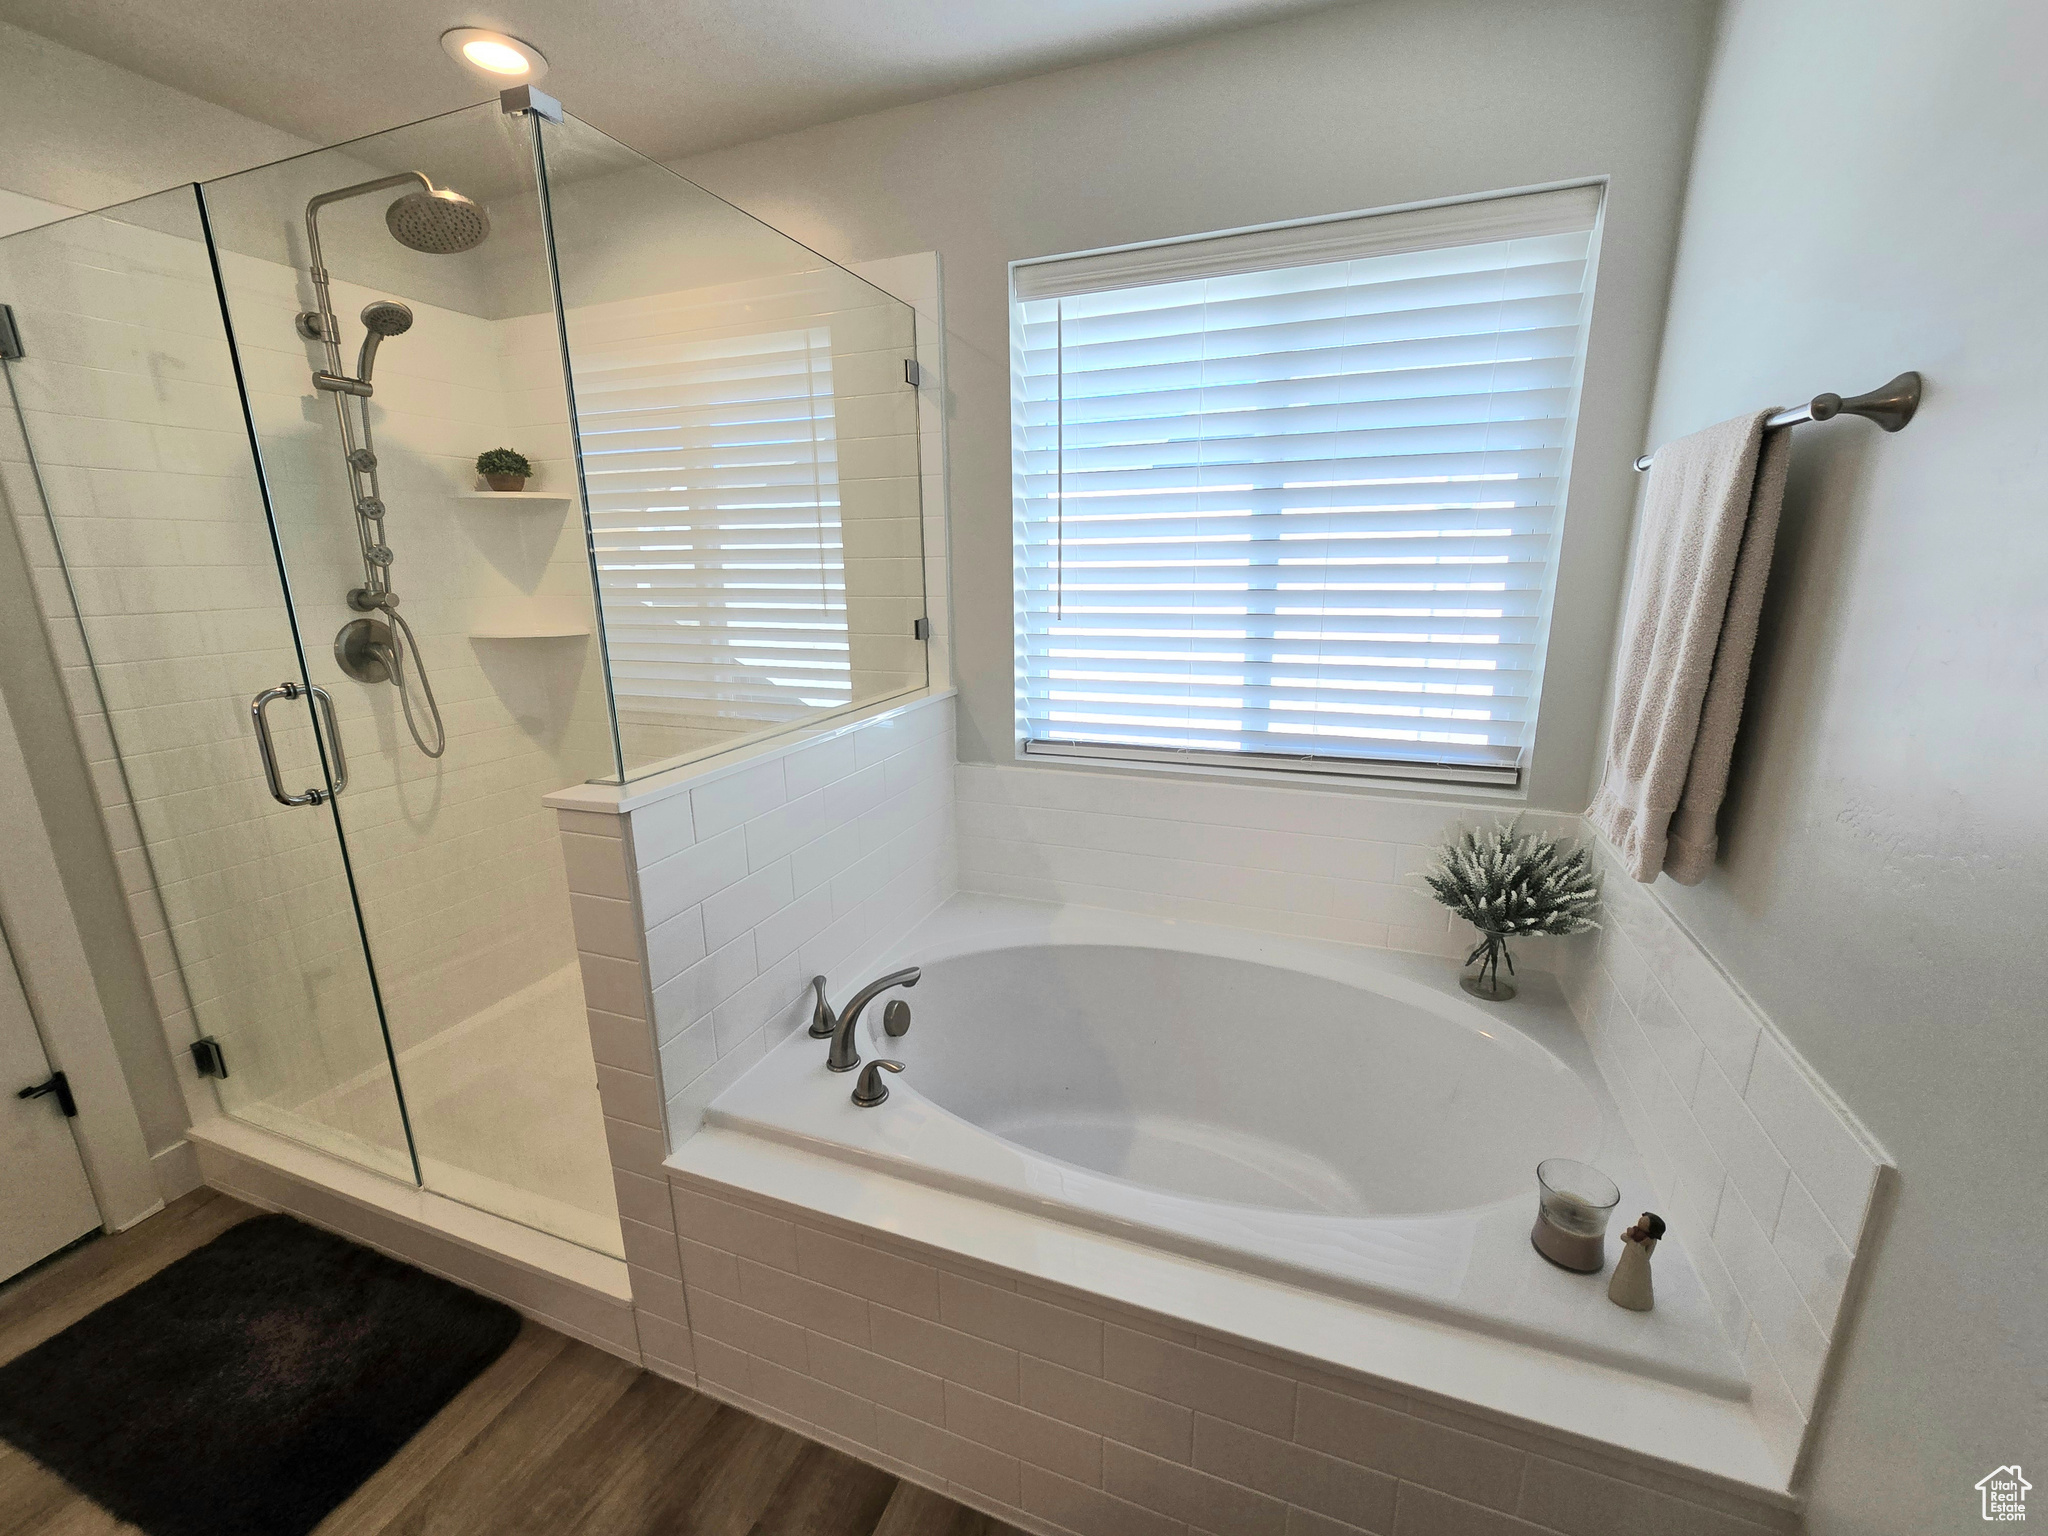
{"x":1885,"y":869}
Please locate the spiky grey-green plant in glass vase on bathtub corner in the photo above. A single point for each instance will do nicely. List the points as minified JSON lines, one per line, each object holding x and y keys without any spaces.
{"x":1512,"y":884}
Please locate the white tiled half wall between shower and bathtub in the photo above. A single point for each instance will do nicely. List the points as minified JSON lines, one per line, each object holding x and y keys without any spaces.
{"x":706,"y":900}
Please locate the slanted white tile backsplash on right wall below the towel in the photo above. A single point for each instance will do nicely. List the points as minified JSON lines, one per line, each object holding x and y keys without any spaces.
{"x":1766,"y":1179}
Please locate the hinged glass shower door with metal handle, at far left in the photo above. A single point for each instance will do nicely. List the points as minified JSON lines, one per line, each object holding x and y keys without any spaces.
{"x":128,"y":470}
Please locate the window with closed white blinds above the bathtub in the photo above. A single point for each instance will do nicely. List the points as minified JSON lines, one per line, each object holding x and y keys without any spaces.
{"x":1289,"y":499}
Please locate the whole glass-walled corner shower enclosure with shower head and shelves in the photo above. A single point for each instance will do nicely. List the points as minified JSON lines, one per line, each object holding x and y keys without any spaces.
{"x":325,"y":677}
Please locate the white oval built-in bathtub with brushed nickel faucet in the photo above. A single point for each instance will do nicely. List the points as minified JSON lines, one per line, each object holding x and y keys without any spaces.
{"x":1328,"y":1117}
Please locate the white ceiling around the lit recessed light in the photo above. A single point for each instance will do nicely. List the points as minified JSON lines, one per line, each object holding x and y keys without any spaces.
{"x":669,"y":77}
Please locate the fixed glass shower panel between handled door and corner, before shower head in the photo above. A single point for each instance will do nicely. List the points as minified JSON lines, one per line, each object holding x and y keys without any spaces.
{"x":454,"y":626}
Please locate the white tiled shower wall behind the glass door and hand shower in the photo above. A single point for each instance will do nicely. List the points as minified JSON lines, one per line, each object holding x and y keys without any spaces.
{"x":132,"y":404}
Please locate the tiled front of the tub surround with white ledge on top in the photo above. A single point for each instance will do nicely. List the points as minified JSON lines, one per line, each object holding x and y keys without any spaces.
{"x":1070,"y":1381}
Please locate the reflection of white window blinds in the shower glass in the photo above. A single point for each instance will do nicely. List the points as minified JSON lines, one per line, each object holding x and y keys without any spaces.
{"x":716,"y":513}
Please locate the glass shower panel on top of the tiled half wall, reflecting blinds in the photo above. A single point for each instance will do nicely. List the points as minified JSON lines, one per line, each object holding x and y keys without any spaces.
{"x":751,"y":460}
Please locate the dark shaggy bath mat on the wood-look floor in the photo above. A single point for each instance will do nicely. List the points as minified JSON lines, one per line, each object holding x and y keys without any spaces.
{"x":253,"y":1385}
